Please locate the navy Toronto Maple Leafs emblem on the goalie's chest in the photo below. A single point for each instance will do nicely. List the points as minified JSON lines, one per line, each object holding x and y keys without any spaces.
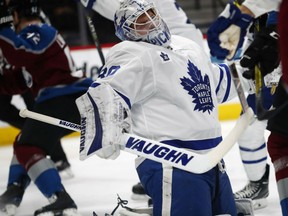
{"x":199,"y":88}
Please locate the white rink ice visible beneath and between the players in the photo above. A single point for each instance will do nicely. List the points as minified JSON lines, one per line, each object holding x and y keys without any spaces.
{"x":97,"y":181}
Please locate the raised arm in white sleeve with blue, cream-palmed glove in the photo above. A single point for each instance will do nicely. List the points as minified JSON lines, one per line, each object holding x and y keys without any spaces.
{"x":226,"y":35}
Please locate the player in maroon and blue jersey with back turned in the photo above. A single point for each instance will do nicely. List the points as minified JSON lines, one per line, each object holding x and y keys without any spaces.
{"x":41,"y":63}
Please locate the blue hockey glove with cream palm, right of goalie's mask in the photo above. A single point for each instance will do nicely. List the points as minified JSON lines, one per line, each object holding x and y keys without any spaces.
{"x":226,"y":35}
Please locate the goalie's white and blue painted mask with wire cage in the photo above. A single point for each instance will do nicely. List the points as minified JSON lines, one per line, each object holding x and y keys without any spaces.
{"x":138,"y":20}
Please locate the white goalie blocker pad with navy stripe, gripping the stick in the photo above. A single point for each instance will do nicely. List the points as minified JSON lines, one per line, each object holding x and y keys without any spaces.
{"x":104,"y":117}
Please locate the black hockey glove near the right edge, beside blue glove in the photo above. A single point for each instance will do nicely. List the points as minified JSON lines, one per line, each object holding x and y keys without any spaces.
{"x":264,"y":51}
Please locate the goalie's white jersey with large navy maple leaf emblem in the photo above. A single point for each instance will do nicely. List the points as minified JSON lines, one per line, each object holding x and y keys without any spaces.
{"x":173,"y":93}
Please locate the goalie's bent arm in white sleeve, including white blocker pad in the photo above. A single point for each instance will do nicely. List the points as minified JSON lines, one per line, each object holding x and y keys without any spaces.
{"x":105,"y":108}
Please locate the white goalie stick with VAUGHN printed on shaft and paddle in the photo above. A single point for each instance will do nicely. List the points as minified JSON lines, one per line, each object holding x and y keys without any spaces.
{"x":160,"y":152}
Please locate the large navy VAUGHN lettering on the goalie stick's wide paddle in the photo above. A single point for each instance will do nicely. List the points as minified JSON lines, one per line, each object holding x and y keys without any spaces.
{"x":158,"y":151}
